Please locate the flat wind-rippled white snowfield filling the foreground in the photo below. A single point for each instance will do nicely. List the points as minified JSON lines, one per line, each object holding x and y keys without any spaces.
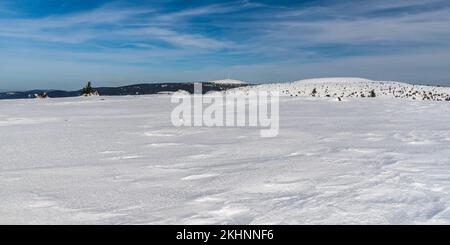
{"x":119,"y":160}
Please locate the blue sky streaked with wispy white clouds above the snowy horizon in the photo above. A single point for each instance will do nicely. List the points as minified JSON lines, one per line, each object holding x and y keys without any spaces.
{"x":61,"y":44}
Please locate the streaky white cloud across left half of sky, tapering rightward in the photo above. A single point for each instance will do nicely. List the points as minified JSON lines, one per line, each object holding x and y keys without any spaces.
{"x":125,"y":24}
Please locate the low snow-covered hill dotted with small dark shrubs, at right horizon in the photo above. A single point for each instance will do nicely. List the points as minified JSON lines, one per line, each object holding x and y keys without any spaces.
{"x":355,"y":88}
